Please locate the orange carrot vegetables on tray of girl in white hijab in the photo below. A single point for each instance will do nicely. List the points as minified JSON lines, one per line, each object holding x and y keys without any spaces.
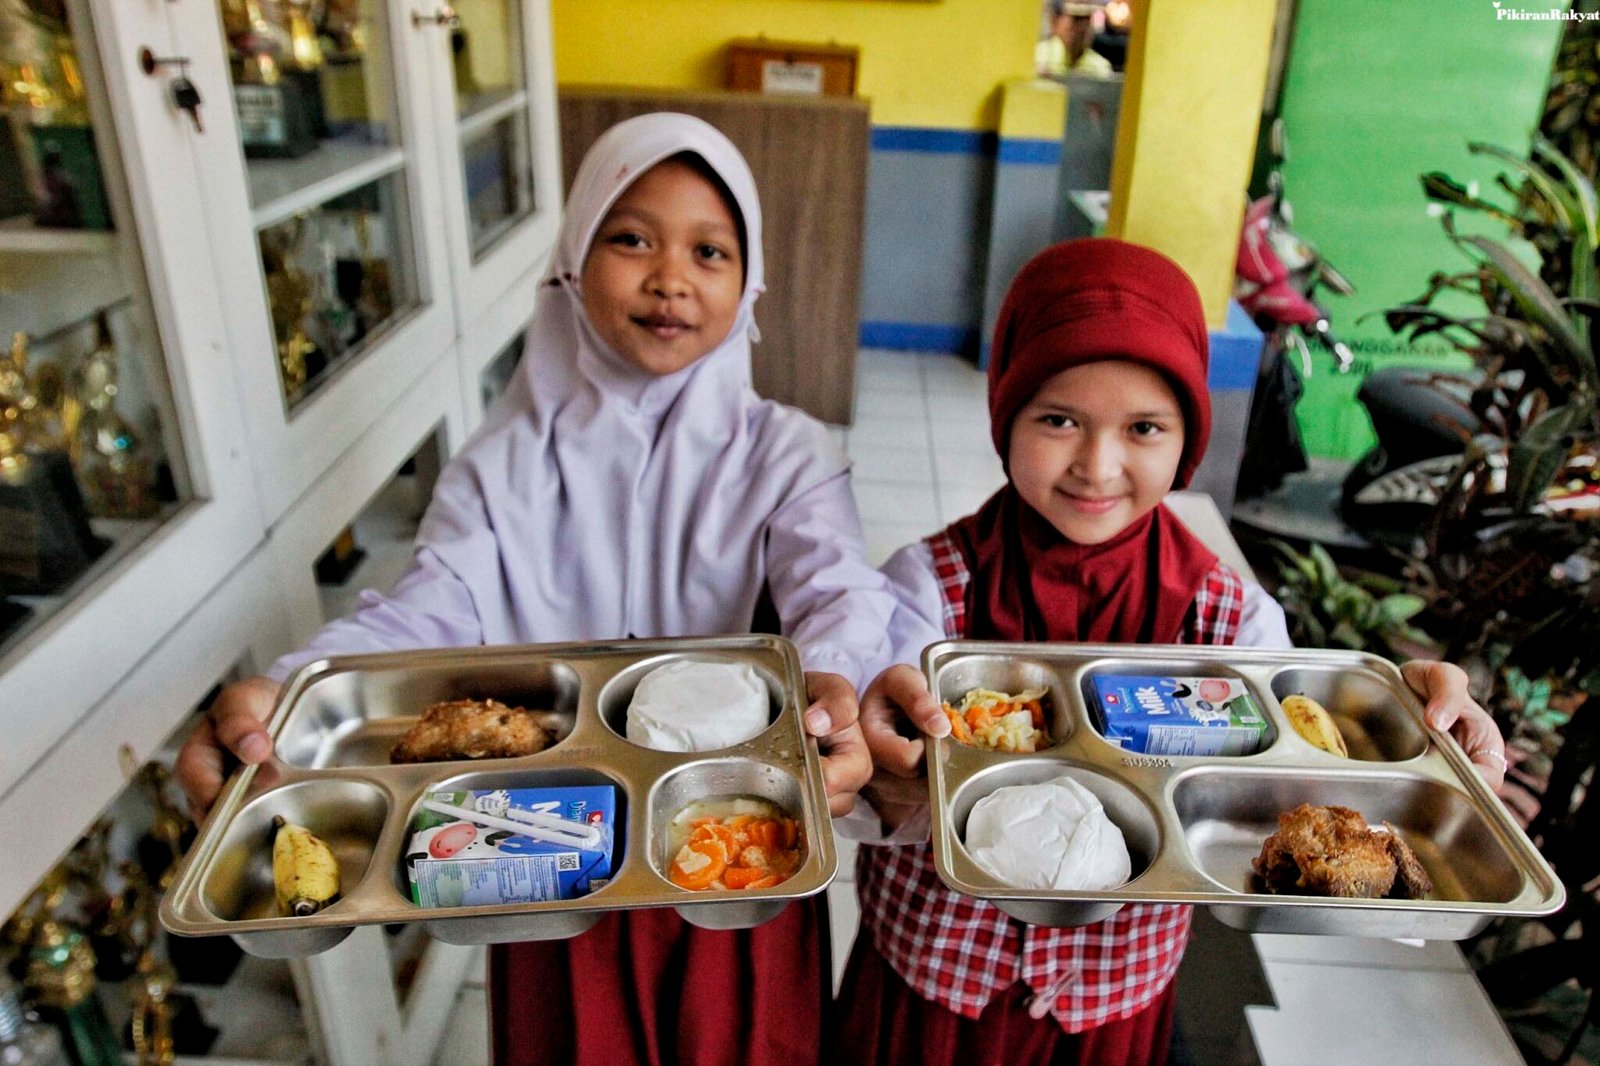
{"x":738,"y":852}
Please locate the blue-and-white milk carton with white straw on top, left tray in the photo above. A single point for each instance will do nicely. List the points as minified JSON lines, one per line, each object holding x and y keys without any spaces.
{"x":511,"y":846}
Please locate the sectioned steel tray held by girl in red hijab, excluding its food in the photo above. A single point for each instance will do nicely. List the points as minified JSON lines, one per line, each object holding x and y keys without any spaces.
{"x":1193,"y":825}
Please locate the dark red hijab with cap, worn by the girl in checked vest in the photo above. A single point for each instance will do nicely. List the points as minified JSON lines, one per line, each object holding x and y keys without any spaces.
{"x":1078,"y":303}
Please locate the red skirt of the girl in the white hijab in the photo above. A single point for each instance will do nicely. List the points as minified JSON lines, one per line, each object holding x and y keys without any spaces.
{"x":649,"y":988}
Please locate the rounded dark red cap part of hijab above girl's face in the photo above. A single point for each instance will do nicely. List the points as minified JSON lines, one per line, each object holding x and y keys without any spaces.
{"x":1090,"y":300}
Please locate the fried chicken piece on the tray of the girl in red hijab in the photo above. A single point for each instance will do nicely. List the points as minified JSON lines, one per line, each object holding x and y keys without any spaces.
{"x":1327,"y":852}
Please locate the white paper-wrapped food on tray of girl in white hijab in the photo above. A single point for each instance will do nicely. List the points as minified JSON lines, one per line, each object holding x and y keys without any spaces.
{"x":695,"y":705}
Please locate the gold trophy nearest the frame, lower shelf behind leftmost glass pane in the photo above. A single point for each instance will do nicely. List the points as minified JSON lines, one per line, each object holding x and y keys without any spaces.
{"x":111,"y":462}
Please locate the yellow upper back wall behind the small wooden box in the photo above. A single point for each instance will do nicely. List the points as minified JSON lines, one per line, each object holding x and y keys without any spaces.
{"x":922,"y":65}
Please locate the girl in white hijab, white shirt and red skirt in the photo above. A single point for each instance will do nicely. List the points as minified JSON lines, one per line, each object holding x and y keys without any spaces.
{"x":631,"y":484}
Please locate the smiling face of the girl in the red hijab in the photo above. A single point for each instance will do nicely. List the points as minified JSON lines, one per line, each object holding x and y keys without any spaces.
{"x":1097,"y":449}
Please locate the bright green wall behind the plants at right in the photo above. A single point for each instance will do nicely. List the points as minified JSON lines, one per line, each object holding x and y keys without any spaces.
{"x":1375,"y":95}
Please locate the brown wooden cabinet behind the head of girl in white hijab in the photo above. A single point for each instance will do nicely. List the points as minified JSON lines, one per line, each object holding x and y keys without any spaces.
{"x":810,"y":164}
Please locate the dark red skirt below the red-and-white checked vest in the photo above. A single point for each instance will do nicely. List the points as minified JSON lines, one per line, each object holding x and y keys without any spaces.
{"x":882,"y":1020}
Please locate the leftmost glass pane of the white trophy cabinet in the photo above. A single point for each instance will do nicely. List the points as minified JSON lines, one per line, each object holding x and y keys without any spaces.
{"x":90,"y":452}
